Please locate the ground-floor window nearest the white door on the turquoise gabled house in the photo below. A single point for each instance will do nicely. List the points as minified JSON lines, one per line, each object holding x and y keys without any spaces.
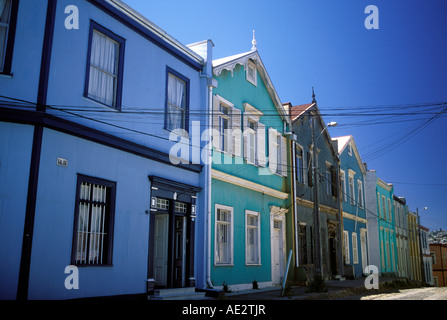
{"x":252,"y":248}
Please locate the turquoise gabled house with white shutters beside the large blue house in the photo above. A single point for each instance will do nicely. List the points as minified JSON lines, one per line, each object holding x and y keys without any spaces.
{"x":249,"y":186}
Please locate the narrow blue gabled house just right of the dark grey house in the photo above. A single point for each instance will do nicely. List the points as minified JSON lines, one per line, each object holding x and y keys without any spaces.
{"x":352,"y":171}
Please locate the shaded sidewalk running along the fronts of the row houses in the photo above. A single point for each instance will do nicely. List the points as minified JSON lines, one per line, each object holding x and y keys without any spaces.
{"x":335,"y":288}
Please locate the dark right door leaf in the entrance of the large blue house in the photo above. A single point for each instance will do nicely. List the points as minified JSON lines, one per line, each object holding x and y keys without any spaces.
{"x":179,"y":251}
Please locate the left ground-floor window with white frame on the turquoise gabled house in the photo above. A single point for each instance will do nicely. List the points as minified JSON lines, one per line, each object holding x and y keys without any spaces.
{"x":224,"y":235}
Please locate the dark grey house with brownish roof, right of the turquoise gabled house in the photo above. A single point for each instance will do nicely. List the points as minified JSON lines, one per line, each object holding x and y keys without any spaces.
{"x":317,"y":232}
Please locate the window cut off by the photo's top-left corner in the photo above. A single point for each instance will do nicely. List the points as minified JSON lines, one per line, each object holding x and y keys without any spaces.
{"x":8,"y":19}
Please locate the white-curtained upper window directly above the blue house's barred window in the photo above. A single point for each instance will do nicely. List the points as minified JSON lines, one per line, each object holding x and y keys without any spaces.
{"x":104,"y":67}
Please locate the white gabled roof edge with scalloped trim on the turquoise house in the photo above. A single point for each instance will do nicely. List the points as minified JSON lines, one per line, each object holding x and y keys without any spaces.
{"x":229,"y":63}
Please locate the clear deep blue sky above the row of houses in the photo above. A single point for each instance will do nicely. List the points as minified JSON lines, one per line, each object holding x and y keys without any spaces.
{"x":324,"y":44}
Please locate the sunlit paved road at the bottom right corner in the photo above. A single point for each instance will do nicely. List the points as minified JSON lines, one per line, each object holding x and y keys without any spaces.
{"x":431,"y":293}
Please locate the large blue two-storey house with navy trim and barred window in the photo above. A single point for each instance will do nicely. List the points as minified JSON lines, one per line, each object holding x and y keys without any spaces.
{"x":94,"y":99}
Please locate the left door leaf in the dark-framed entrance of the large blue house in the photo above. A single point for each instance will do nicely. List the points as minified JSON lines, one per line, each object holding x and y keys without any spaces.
{"x":161,"y":249}
